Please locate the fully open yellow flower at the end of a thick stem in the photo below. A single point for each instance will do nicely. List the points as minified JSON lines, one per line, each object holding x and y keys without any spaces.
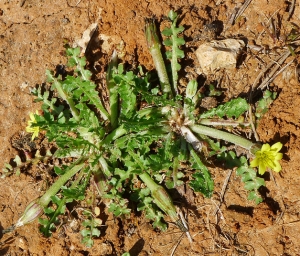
{"x":268,"y":157}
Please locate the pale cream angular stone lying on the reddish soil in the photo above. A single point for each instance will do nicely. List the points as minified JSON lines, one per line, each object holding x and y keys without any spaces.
{"x":216,"y":55}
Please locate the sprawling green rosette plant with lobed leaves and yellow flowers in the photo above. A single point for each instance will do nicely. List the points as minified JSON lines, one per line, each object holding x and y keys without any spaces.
{"x":130,"y":143}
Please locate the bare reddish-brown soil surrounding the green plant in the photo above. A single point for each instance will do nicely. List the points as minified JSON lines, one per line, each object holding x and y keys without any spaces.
{"x":32,"y":39}
